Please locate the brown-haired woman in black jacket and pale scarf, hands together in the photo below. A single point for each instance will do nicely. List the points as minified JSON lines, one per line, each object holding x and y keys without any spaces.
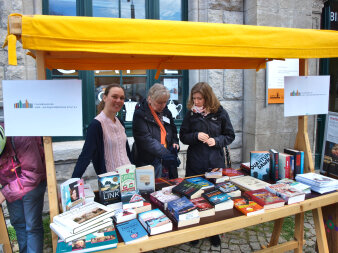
{"x":207,"y":129}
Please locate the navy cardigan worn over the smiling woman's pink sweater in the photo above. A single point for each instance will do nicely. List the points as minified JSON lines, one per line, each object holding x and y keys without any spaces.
{"x":93,"y":151}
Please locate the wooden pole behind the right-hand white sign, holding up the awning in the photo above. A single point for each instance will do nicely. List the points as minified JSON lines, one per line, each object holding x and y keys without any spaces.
{"x":302,"y":139}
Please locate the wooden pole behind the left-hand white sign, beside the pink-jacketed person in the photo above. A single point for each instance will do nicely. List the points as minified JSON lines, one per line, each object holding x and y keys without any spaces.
{"x":50,"y":167}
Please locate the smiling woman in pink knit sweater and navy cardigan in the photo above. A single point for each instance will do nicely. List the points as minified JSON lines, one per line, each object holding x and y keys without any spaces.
{"x":106,"y":144}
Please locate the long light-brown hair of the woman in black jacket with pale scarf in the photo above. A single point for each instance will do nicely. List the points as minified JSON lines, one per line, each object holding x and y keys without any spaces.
{"x":211,"y":103}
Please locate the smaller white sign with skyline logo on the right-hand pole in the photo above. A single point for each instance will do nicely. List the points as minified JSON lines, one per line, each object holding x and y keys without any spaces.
{"x":306,"y":95}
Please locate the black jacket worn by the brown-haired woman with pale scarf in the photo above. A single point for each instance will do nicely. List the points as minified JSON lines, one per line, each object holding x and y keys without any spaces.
{"x":200,"y":156}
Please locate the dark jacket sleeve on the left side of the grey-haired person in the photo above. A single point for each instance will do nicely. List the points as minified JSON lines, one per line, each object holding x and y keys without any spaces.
{"x":142,"y":136}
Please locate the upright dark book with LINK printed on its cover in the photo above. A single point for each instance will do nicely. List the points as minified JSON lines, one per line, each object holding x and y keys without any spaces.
{"x":109,"y":188}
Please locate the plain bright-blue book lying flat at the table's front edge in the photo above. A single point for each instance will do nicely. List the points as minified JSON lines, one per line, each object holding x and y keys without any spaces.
{"x":132,"y":231}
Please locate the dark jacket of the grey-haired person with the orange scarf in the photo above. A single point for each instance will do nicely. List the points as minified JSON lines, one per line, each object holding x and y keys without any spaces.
{"x":147,"y":135}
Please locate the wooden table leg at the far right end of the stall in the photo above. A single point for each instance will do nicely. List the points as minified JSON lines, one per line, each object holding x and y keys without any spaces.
{"x":320,"y":230}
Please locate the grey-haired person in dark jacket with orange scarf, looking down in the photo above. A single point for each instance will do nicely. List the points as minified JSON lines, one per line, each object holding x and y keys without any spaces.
{"x":155,"y":132}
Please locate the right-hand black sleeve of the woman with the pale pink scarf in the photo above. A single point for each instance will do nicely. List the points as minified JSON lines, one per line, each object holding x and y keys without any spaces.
{"x":227,"y":132}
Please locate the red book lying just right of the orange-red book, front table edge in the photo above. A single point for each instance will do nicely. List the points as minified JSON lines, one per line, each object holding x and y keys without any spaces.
{"x":265,"y":198}
